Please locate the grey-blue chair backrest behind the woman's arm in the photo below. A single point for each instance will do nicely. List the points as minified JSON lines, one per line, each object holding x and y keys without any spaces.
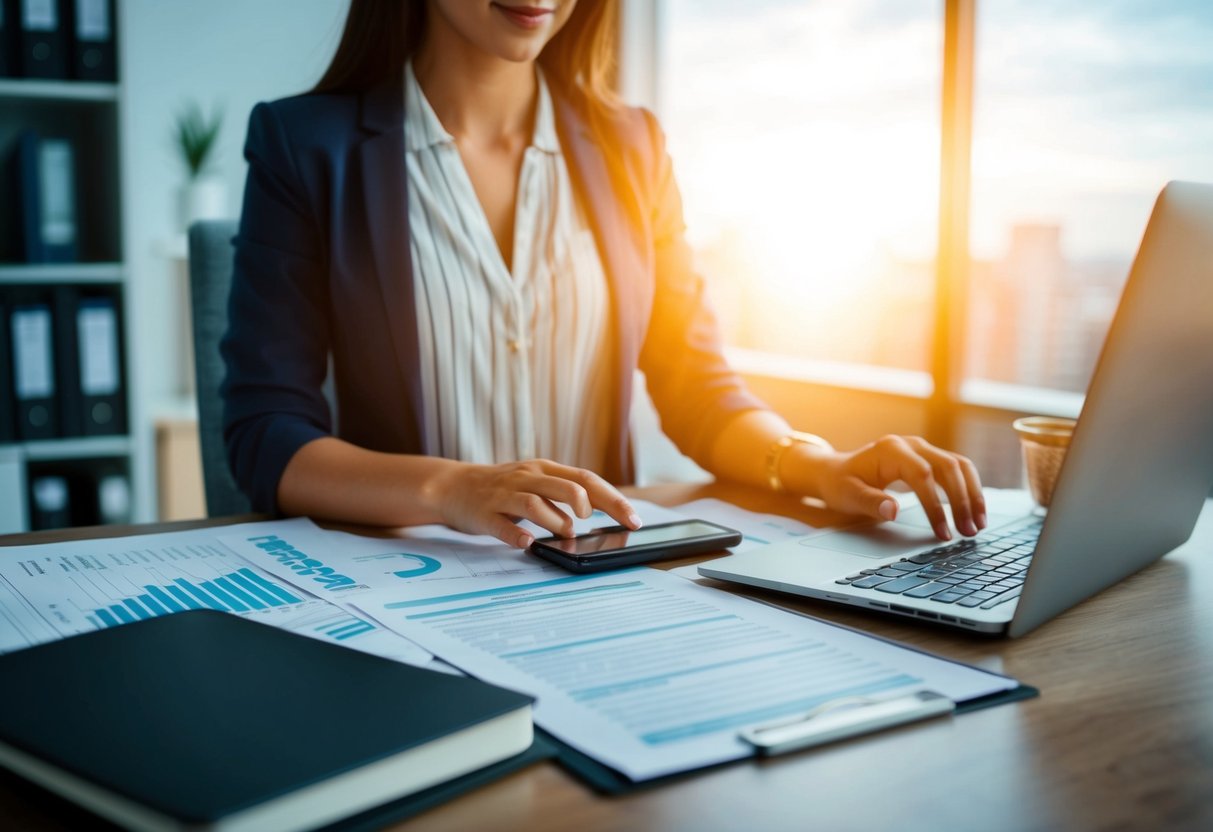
{"x":210,"y":280}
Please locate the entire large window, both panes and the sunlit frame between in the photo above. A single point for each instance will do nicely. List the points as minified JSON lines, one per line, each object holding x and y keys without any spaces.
{"x":806,"y":136}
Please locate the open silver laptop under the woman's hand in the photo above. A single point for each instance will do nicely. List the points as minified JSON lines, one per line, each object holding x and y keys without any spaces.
{"x":1134,"y":483}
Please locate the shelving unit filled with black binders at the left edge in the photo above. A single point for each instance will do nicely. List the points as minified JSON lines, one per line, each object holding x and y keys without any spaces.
{"x":86,"y":469}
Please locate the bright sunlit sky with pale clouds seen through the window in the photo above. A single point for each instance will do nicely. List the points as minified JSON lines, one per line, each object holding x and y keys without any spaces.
{"x":812,"y":126}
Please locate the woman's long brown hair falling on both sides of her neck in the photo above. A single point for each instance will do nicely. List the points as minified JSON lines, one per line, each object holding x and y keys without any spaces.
{"x":381,"y":35}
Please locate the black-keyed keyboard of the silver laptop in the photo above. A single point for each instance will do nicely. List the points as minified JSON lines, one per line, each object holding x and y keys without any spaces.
{"x":981,"y":572}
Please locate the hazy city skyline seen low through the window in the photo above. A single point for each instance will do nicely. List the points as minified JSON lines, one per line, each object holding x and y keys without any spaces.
{"x":1037,"y":317}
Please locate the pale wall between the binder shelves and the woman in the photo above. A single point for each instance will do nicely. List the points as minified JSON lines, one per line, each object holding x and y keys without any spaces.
{"x":227,"y":53}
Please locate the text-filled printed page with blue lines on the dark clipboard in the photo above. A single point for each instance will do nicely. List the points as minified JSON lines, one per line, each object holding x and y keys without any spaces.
{"x":651,"y":674}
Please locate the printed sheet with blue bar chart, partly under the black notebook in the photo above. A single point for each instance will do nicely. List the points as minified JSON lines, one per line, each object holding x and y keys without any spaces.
{"x":53,"y":591}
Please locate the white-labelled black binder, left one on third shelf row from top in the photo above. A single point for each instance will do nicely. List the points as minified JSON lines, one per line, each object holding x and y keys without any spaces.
{"x":35,"y":384}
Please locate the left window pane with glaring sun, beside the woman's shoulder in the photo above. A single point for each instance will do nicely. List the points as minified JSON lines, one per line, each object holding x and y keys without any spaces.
{"x":806,"y":141}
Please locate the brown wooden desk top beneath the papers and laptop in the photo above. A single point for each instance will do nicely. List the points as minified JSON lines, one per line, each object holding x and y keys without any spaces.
{"x":1121,"y":737}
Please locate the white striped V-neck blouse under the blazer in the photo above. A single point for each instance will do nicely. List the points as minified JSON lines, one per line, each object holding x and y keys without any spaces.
{"x":515,"y":362}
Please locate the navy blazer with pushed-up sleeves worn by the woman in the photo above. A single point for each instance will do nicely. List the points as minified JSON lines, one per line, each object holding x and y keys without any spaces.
{"x":323,"y":276}
